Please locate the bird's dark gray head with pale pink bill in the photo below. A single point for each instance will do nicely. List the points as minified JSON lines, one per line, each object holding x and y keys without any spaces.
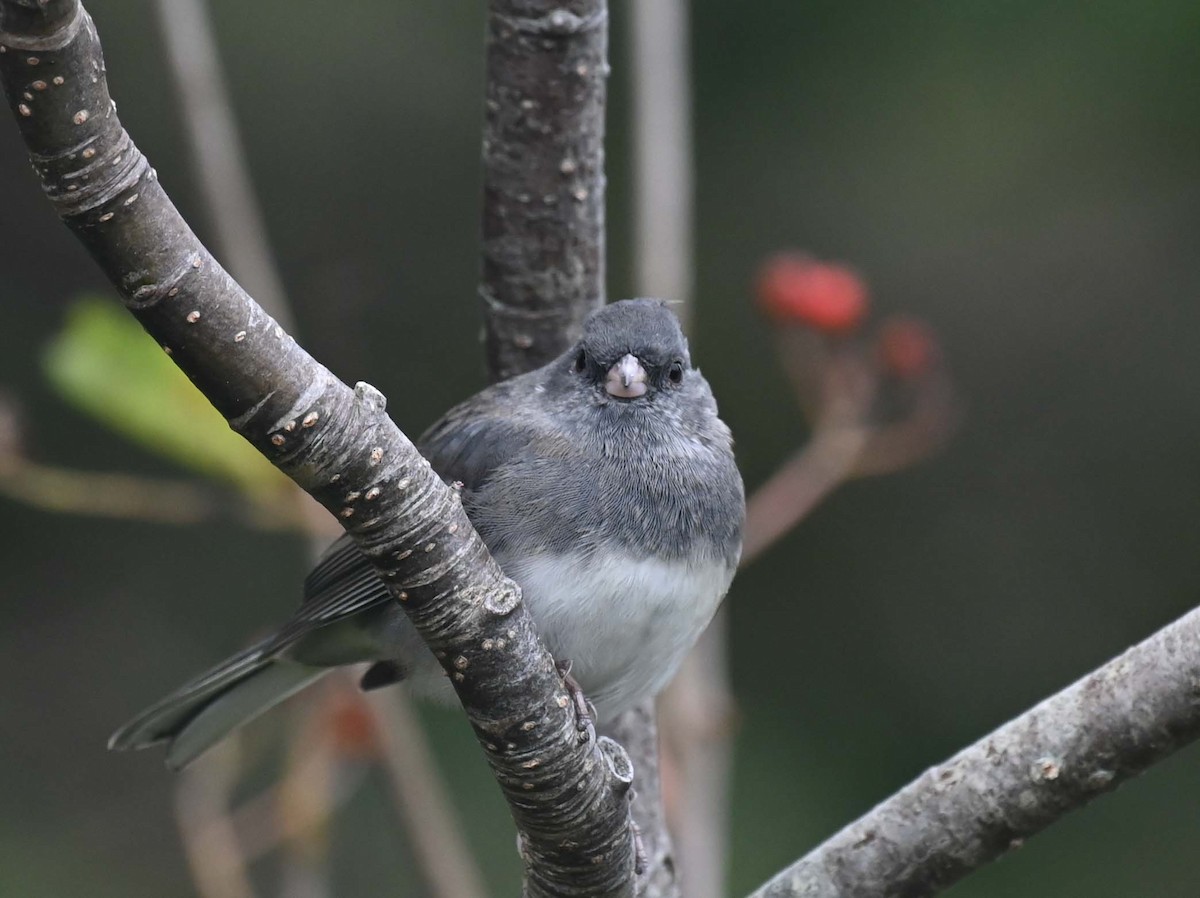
{"x":632,"y":351}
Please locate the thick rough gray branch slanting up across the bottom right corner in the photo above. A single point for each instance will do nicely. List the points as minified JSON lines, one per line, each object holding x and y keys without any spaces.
{"x":1083,"y":743}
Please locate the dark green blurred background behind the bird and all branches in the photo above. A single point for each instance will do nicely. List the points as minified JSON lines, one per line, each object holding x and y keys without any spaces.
{"x":1024,"y":176}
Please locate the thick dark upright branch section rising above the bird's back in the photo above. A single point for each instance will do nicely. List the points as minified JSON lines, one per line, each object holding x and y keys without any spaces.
{"x":544,"y":252}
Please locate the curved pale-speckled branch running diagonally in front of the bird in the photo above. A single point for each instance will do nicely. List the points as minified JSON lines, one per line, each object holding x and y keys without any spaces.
{"x":568,"y":798}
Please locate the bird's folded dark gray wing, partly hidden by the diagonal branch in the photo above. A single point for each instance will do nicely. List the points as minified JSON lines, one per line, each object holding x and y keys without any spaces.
{"x":467,"y":446}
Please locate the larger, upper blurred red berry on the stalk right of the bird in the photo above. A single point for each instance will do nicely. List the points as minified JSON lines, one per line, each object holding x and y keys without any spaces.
{"x":823,"y":296}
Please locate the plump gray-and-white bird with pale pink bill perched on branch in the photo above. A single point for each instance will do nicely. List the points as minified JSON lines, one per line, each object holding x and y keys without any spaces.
{"x":604,"y":484}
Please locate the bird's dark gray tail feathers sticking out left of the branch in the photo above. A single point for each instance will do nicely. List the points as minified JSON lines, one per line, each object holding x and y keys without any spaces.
{"x":205,"y":711}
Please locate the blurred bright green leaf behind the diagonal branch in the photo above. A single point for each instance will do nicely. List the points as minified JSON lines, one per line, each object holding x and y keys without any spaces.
{"x":107,"y":367}
